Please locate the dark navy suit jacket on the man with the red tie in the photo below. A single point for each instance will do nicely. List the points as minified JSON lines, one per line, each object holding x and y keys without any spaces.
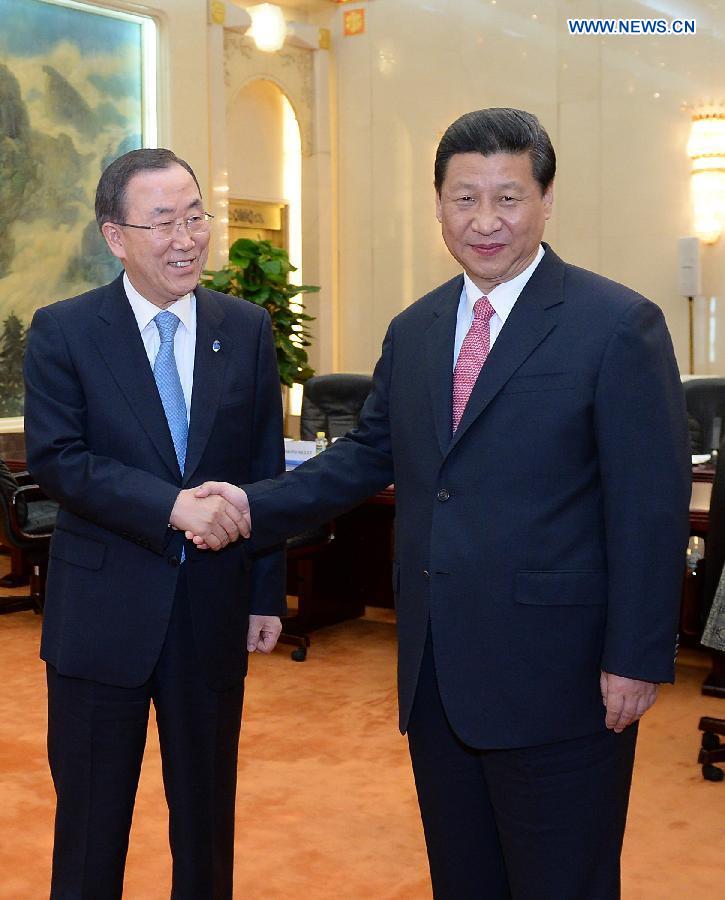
{"x":545,"y":540}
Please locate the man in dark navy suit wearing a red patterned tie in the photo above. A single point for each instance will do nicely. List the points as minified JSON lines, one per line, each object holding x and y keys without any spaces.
{"x":531,"y":416}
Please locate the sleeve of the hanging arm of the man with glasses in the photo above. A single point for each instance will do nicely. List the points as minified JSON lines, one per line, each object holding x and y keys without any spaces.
{"x":268,"y":570}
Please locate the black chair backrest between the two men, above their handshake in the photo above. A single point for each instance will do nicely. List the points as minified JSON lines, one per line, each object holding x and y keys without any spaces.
{"x":332,"y":403}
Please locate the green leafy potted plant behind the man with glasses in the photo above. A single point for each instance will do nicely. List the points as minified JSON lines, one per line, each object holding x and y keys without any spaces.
{"x":258,"y":272}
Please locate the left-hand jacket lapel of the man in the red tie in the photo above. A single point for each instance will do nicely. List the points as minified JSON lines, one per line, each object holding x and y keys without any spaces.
{"x":439,"y":340}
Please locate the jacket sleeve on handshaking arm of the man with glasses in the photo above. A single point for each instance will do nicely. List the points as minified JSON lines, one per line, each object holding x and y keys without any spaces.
{"x":123,"y":499}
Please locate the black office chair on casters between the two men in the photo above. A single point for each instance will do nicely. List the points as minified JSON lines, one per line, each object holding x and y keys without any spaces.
{"x":332,"y":404}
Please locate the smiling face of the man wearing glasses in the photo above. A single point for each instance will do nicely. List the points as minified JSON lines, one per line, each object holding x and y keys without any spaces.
{"x":161,"y":270}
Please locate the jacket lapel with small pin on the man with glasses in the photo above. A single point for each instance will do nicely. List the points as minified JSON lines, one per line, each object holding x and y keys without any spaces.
{"x":209,"y":370}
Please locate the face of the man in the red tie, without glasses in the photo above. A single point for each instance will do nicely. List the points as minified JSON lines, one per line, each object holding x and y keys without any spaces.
{"x":492,"y":213}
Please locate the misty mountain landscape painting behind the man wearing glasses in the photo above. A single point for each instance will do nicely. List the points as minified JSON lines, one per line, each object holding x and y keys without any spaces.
{"x":71,"y":99}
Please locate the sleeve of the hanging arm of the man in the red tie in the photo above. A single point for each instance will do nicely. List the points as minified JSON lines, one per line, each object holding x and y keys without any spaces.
{"x":644,"y":458}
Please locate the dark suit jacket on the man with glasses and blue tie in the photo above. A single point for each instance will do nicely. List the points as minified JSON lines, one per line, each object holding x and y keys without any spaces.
{"x":98,"y":442}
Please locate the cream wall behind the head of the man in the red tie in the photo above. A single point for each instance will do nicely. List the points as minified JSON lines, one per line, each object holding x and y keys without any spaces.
{"x":612,"y":107}
